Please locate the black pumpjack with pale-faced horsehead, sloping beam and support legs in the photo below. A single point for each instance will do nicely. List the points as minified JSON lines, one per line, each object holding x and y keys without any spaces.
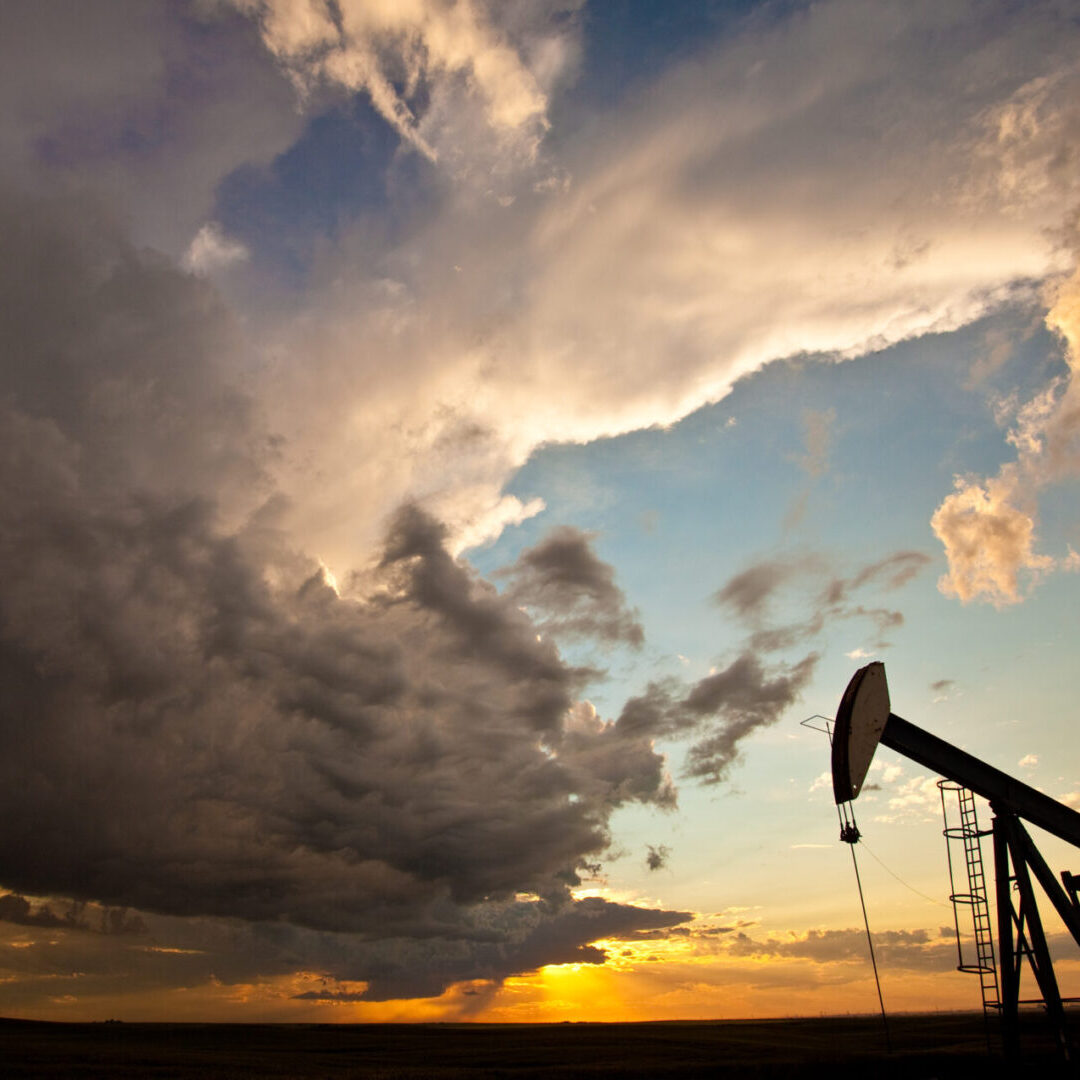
{"x":865,"y":720}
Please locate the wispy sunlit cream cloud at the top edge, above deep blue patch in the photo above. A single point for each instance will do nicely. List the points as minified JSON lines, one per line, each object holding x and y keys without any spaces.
{"x":465,"y":85}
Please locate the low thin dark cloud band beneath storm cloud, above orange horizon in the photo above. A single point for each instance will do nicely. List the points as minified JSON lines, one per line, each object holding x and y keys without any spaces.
{"x":518,"y":937}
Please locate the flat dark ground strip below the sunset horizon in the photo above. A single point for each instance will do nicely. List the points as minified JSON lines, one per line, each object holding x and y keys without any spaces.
{"x":935,"y":1046}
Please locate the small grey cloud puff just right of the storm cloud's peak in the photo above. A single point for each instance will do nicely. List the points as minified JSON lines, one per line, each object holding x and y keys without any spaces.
{"x":573,"y":590}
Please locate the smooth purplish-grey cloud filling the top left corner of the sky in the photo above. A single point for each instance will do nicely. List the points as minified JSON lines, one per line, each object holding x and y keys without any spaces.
{"x":144,"y":102}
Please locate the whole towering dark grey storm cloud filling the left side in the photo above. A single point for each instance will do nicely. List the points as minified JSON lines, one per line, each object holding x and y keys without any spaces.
{"x":196,"y":724}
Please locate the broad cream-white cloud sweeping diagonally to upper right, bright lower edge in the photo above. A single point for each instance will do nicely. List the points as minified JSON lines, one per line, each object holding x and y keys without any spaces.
{"x":754,"y":206}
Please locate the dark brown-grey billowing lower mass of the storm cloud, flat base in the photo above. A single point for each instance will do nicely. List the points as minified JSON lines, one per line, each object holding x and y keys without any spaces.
{"x":213,"y":748}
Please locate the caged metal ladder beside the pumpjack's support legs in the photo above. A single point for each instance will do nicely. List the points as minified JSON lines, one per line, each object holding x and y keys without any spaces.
{"x":970,"y":836}
